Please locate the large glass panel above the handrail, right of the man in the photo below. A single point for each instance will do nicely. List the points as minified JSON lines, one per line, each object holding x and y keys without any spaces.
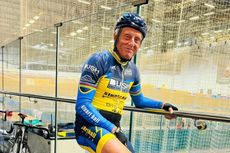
{"x":184,"y":60}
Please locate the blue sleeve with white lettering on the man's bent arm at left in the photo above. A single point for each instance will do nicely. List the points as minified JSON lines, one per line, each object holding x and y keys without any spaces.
{"x":91,"y":73}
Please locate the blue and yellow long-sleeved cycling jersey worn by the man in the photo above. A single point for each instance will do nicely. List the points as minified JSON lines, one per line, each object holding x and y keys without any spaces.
{"x":105,"y":84}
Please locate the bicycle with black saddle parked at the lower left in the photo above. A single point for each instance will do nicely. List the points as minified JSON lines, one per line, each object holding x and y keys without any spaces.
{"x":20,"y":140}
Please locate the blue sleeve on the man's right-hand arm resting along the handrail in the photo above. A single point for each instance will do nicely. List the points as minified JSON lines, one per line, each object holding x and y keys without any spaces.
{"x":139,"y":99}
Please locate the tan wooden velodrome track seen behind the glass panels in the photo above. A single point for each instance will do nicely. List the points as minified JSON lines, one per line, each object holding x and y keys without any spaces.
{"x":43,"y":83}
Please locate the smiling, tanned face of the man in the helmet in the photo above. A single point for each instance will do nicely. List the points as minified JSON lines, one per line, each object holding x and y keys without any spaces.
{"x":128,"y":42}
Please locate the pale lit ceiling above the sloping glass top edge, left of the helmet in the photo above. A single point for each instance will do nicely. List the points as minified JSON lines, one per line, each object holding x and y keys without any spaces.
{"x":22,"y":17}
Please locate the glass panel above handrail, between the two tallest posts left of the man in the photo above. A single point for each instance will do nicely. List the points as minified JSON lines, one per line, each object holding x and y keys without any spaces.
{"x":38,"y":62}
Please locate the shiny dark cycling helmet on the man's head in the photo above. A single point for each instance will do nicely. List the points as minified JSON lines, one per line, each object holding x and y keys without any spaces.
{"x":132,"y":20}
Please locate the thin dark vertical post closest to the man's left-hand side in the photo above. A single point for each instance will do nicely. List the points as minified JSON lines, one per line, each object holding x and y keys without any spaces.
{"x":58,"y":25}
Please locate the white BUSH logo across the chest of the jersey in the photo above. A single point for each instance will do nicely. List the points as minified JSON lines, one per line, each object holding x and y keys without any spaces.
{"x":118,"y":85}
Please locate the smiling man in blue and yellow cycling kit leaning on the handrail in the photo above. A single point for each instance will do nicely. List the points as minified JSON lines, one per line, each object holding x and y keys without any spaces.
{"x":107,"y":79}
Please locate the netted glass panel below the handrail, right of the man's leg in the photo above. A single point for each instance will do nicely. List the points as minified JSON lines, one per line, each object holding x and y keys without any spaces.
{"x":153,"y":133}
